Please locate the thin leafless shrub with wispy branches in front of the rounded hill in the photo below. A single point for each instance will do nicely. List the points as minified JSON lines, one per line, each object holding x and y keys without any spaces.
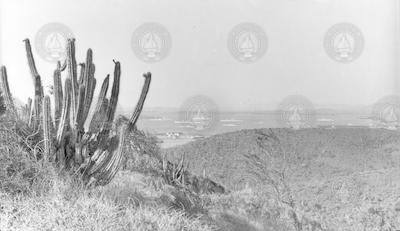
{"x":275,"y":168}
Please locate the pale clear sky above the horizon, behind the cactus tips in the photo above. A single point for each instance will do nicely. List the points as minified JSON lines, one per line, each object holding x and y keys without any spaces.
{"x":199,"y":61}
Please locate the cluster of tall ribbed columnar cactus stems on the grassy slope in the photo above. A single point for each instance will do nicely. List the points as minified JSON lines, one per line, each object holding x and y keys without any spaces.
{"x":94,"y":151}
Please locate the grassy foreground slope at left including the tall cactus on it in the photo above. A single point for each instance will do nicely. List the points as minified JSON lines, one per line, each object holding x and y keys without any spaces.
{"x":50,"y":165}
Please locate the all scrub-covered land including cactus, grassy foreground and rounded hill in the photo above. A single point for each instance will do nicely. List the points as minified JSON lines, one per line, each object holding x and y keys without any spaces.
{"x":250,"y":180}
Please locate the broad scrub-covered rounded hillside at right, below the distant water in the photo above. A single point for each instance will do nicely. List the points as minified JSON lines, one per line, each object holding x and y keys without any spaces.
{"x":327,"y":179}
